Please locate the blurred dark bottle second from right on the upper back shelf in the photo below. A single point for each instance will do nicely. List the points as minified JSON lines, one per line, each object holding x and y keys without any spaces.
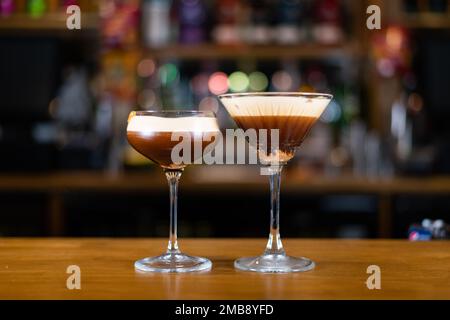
{"x":289,"y":27}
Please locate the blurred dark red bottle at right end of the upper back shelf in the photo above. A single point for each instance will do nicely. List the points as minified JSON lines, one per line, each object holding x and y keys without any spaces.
{"x":327,"y":19}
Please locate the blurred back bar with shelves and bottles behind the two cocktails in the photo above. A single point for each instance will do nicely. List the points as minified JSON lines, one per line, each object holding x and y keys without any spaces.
{"x":377,"y":162}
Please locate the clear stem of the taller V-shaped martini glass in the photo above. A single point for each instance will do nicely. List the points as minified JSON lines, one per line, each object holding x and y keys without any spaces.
{"x":274,"y":245}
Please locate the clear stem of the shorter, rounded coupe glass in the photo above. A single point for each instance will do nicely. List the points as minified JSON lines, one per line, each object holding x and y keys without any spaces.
{"x":173,"y":176}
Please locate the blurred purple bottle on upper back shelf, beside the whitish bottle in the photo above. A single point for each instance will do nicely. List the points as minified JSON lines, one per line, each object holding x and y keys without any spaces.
{"x":192,"y":19}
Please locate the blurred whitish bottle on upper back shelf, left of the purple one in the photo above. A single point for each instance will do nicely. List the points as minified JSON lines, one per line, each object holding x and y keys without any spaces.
{"x":156,"y":22}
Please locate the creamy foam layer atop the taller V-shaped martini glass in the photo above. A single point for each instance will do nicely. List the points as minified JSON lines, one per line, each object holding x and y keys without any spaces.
{"x":268,"y":105}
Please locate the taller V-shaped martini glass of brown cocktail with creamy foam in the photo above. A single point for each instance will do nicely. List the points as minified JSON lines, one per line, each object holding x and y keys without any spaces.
{"x":293,"y":114}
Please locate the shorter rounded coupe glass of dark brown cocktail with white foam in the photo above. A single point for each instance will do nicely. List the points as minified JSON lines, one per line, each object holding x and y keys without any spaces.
{"x":154,"y":134}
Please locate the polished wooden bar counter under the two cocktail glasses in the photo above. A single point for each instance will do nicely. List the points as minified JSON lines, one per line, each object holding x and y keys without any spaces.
{"x":35,"y":268}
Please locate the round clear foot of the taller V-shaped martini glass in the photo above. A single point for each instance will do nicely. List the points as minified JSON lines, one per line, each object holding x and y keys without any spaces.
{"x":274,"y":263}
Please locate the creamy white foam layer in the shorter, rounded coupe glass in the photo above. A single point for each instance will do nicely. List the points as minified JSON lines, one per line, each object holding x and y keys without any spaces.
{"x":161,"y":124}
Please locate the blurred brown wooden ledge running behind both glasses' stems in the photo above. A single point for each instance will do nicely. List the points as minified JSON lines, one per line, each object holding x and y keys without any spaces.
{"x":195,"y":181}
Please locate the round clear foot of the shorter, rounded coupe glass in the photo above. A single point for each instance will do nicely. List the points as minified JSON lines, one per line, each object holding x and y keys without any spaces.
{"x":173,"y":262}
